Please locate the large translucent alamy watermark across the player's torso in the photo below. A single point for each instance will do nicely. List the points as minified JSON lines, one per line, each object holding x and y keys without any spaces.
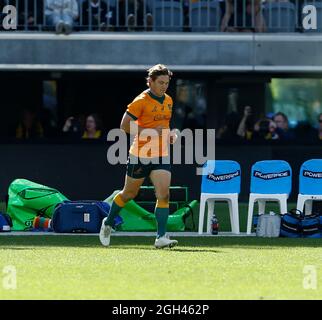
{"x":152,"y":141}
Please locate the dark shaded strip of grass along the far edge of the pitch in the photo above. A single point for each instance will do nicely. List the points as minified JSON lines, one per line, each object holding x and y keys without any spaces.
{"x":132,"y":242}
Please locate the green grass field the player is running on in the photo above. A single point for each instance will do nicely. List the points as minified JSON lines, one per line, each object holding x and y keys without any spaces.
{"x":78,"y":267}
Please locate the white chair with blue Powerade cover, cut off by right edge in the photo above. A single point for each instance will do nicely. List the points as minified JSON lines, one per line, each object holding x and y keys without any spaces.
{"x":310,"y":185}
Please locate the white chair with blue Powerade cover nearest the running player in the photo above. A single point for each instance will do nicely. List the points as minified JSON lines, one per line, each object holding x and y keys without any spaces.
{"x":220,"y":182}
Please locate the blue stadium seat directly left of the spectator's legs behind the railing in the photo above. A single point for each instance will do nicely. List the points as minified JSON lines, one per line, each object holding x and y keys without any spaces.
{"x":205,"y":16}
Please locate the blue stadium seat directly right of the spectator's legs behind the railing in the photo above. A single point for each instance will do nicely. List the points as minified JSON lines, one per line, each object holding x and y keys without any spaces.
{"x":280,"y":16}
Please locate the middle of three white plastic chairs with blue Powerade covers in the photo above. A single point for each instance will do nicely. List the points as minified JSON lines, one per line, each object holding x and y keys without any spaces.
{"x":271,"y":180}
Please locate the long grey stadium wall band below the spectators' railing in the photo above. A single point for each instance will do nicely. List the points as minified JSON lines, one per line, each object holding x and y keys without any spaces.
{"x":187,"y":52}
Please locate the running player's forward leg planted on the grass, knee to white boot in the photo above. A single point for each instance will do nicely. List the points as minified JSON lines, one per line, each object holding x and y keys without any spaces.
{"x":161,"y":180}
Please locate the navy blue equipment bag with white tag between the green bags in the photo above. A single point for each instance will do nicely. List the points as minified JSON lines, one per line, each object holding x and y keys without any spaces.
{"x":79,"y":216}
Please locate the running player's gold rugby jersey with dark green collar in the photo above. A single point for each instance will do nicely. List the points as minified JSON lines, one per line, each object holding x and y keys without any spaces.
{"x":150,"y":111}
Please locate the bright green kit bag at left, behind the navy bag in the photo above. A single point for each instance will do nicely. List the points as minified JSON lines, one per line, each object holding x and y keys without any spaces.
{"x":27,"y":200}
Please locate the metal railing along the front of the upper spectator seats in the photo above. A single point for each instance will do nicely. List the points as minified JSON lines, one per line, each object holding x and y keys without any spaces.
{"x":172,"y":15}
